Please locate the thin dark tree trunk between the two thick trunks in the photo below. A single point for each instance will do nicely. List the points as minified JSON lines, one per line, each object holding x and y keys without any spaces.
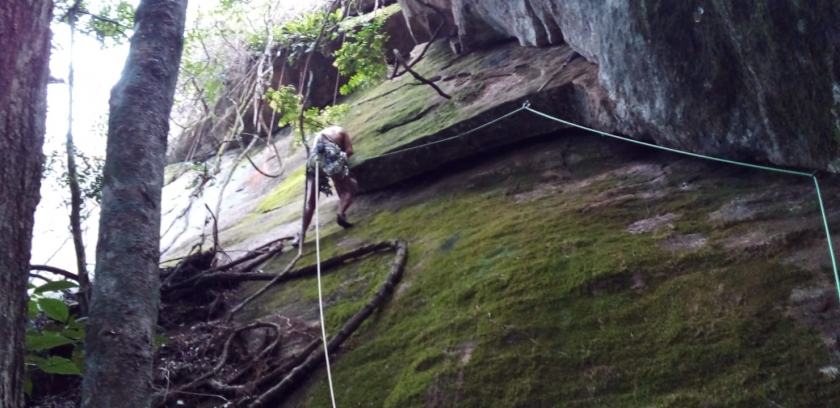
{"x":73,"y":182}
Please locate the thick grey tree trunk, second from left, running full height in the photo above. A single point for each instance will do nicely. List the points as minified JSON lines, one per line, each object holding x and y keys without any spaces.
{"x":124,"y":303}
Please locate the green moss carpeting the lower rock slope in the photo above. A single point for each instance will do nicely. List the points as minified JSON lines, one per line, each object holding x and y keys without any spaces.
{"x":541,"y":291}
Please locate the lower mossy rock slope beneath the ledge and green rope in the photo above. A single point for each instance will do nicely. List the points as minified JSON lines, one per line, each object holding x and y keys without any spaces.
{"x":525,"y":287}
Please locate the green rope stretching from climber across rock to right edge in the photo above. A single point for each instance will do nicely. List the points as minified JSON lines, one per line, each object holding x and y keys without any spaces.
{"x":527,"y":107}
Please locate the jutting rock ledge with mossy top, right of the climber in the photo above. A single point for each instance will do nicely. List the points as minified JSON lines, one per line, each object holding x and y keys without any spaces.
{"x":402,"y":114}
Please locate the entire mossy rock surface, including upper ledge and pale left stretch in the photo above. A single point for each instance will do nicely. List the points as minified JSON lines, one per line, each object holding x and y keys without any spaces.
{"x":544,"y":271}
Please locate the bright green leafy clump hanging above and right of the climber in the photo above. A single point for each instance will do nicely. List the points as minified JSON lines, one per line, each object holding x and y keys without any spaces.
{"x":363,"y":58}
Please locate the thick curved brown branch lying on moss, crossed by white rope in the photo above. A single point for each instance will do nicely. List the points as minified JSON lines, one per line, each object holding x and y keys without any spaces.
{"x":300,"y":373}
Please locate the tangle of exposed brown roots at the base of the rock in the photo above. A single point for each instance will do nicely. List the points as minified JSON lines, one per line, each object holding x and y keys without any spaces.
{"x":189,"y":370}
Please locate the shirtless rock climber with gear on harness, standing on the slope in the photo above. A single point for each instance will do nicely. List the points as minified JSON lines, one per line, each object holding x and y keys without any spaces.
{"x":330,"y":149}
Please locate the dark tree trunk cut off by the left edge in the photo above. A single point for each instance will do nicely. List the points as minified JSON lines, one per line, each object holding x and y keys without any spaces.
{"x":24,"y":64}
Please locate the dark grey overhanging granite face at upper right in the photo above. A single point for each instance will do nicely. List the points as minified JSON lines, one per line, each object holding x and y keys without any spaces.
{"x":749,"y":80}
